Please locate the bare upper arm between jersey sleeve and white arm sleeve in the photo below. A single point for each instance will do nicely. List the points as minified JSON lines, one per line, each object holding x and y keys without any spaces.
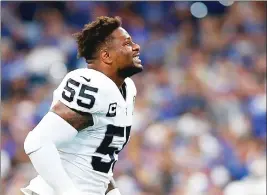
{"x":75,"y":118}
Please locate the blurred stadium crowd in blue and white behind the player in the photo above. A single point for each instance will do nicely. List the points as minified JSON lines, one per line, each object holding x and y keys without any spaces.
{"x":200,"y":118}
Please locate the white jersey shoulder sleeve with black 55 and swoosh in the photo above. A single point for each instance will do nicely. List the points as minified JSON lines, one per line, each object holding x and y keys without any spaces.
{"x":79,"y":92}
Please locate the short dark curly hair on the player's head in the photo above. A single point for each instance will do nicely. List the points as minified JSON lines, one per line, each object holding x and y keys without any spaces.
{"x":94,"y":35}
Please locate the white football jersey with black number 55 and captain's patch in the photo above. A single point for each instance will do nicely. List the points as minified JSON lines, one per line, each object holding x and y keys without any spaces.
{"x":90,"y":157}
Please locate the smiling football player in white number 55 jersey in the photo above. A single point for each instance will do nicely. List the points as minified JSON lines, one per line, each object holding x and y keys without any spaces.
{"x":75,"y":146}
